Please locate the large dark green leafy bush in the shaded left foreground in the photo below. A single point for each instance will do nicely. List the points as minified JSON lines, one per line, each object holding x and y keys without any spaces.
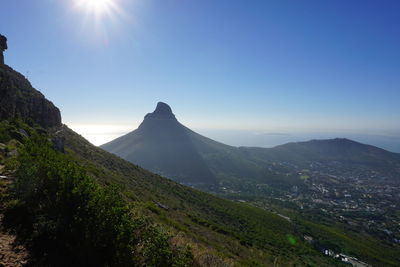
{"x":67,"y":219}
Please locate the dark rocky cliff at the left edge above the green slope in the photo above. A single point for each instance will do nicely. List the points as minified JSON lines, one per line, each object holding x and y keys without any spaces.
{"x":18,"y":99}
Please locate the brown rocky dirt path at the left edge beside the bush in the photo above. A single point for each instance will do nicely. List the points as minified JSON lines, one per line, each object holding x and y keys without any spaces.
{"x":10,"y":255}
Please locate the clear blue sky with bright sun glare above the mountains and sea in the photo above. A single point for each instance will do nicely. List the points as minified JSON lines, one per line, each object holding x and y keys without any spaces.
{"x":271,"y":66}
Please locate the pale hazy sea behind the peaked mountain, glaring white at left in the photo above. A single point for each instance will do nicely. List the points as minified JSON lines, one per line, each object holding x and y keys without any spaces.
{"x":390,"y":140}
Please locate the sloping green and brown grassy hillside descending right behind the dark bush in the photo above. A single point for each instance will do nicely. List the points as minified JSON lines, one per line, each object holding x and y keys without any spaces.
{"x":214,"y":227}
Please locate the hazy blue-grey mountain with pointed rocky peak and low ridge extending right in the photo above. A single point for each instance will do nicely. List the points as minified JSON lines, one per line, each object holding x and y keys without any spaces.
{"x":163,"y":145}
